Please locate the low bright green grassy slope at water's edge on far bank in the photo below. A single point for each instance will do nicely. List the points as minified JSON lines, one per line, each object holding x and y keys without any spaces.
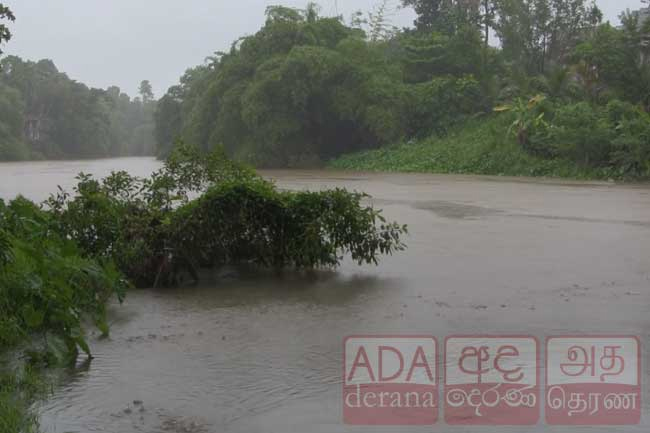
{"x":481,"y":146}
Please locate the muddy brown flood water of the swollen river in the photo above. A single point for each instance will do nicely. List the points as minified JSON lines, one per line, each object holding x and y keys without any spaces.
{"x":251,"y":352}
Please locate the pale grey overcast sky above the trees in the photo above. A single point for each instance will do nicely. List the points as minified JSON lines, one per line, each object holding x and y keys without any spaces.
{"x":122,"y":42}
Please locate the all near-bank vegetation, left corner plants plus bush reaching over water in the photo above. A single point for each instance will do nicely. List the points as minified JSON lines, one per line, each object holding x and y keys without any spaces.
{"x":61,"y":262}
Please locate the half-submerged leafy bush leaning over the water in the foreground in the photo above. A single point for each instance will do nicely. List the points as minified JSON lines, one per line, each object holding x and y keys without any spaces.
{"x":204,"y":210}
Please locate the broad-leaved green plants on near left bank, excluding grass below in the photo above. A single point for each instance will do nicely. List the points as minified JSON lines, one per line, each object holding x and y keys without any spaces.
{"x":46,"y":286}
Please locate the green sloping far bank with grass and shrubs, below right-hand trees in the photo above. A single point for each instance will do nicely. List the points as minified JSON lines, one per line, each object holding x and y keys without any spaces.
{"x":579,"y":141}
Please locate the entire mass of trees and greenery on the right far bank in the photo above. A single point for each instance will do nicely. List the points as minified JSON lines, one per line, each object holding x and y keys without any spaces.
{"x":306,"y":89}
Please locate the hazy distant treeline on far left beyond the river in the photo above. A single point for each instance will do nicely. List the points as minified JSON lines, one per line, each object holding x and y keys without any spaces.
{"x":46,"y":115}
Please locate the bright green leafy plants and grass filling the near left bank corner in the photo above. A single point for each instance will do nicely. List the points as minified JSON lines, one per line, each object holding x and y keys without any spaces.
{"x":46,"y":288}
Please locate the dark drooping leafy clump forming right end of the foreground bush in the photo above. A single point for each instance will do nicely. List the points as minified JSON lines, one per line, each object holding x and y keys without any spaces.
{"x":252,"y":222}
